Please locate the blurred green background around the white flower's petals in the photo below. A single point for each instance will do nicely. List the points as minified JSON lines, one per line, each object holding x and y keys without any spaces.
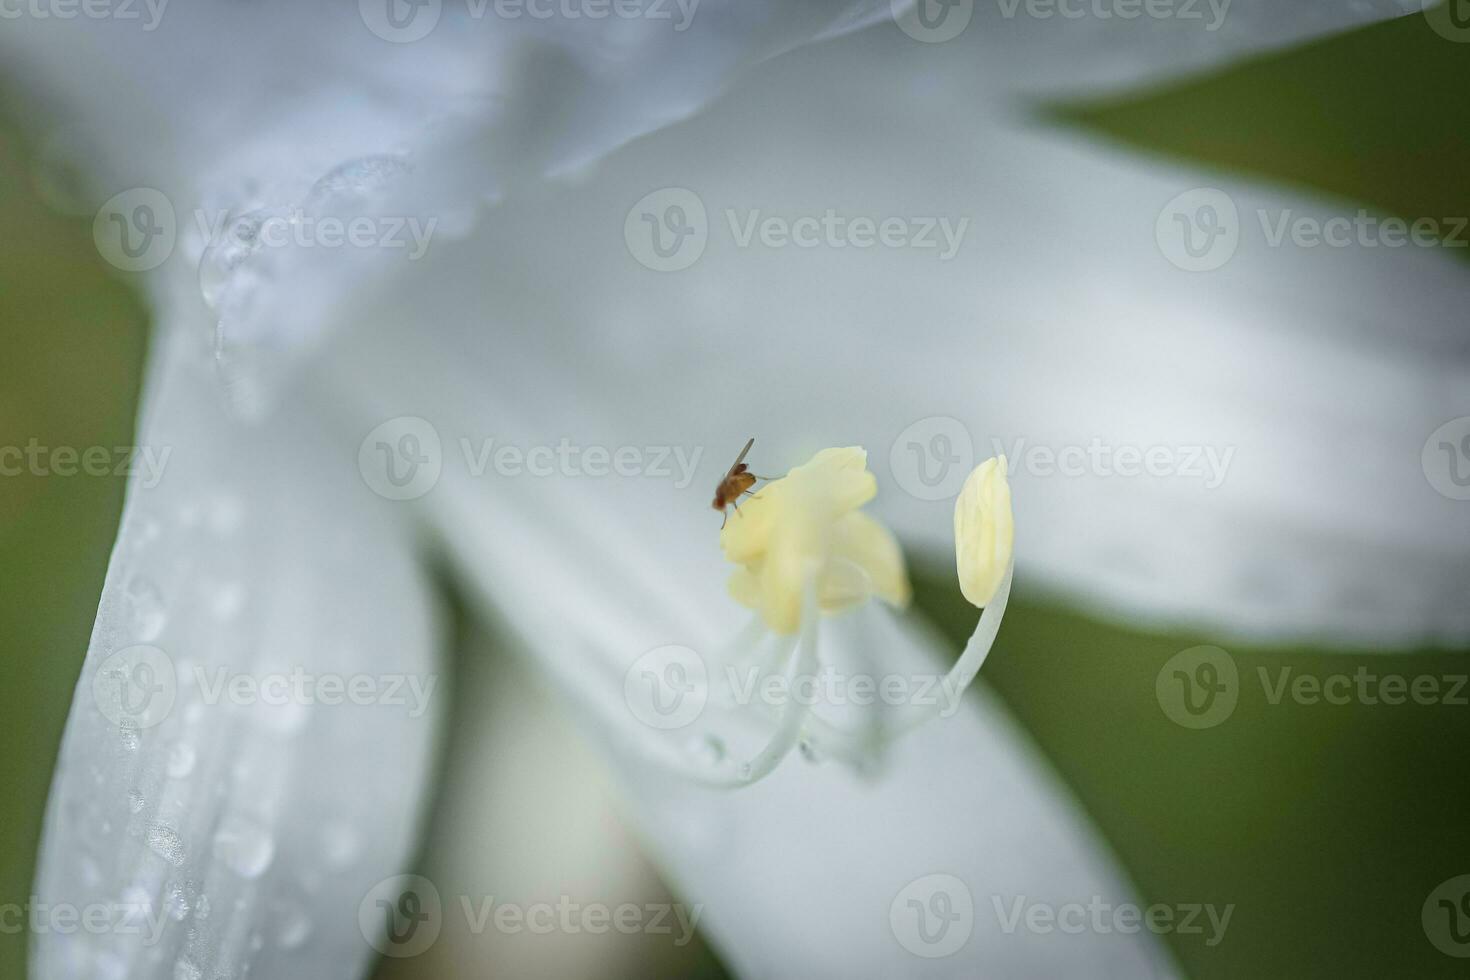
{"x":1327,"y":826}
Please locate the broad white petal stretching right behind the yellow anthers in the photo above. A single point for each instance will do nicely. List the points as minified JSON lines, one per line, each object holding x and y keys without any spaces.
{"x":1315,"y":377}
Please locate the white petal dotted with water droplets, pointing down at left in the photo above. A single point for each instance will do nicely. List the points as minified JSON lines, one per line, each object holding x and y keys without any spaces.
{"x":252,"y":735}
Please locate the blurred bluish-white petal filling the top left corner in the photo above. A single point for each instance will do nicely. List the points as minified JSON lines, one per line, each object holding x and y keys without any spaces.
{"x":301,"y":114}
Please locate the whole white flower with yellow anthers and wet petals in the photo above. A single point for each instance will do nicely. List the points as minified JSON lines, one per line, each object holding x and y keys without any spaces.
{"x":252,"y":832}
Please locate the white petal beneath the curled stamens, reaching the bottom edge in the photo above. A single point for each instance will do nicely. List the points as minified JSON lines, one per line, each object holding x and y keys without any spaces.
{"x":800,"y":873}
